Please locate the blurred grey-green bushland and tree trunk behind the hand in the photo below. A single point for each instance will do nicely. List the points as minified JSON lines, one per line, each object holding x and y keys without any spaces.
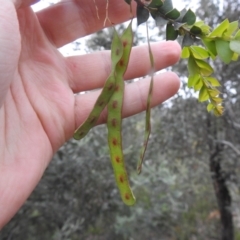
{"x":192,"y":158}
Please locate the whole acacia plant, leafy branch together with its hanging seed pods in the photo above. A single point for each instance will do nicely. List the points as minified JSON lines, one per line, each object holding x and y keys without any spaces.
{"x":199,"y":45}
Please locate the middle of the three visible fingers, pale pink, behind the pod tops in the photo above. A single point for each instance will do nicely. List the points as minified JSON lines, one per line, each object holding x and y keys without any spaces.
{"x":91,"y":71}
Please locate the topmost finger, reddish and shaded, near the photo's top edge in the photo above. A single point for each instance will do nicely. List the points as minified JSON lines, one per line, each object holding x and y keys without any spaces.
{"x":69,"y":20}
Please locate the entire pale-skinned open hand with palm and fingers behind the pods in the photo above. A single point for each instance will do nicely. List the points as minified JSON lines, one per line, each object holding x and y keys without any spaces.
{"x":38,"y":108}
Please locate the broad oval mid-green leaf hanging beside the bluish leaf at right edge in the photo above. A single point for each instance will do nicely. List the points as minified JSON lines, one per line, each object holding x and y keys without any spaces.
{"x":224,"y":51}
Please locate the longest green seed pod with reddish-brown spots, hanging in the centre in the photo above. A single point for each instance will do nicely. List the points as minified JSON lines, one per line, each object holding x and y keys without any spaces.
{"x":114,"y":121}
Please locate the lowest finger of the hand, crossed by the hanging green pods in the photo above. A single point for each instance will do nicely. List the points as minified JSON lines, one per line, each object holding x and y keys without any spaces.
{"x":135,"y":96}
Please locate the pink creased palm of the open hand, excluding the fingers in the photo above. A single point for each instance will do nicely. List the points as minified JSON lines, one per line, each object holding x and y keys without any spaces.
{"x":39,"y":108}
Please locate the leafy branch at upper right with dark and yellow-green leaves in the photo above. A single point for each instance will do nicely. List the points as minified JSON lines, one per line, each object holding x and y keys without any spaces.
{"x":223,"y":41}
